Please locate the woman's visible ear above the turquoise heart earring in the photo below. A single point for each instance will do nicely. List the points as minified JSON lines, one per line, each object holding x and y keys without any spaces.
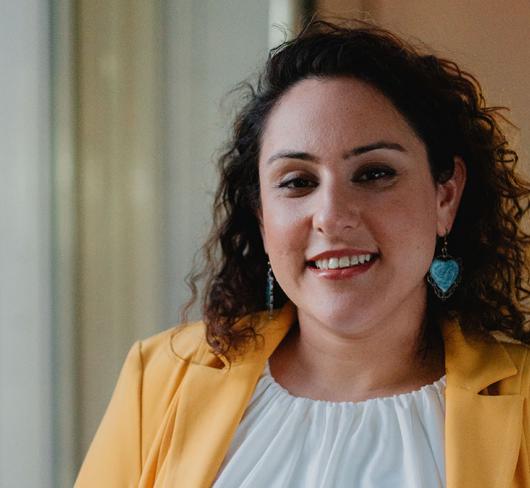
{"x":449,"y":195}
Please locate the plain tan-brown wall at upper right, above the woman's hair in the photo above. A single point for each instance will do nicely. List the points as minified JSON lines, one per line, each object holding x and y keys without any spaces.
{"x":488,"y":38}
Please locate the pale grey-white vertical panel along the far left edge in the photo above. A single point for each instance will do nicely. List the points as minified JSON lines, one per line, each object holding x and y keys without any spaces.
{"x":25,"y":215}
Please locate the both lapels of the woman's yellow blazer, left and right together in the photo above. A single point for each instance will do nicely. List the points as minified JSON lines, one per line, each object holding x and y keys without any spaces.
{"x":482,"y":432}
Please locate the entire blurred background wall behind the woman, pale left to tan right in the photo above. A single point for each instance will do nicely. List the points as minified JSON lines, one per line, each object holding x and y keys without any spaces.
{"x":112,"y":114}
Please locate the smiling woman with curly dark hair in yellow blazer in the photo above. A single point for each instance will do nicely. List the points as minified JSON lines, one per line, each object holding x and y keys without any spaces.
{"x":368,"y":218}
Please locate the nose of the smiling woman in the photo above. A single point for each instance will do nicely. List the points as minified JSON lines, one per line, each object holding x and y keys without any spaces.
{"x":336,"y":212}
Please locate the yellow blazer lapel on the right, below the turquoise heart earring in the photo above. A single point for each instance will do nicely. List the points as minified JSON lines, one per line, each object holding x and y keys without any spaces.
{"x":483,"y":432}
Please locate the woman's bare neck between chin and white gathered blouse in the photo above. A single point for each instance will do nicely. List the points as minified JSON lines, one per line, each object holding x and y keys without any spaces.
{"x":318,"y":362}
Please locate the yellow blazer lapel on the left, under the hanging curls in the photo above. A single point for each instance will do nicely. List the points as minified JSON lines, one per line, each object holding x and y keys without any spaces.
{"x":211,"y":404}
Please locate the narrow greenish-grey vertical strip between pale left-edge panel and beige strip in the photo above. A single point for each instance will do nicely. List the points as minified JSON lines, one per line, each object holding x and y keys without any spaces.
{"x":65,"y":244}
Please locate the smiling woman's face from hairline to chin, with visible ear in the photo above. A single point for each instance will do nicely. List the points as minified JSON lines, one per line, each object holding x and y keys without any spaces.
{"x":349,"y":210}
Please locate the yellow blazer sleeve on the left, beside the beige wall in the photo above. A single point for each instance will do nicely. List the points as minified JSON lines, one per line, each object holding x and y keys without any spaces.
{"x":114,"y":457}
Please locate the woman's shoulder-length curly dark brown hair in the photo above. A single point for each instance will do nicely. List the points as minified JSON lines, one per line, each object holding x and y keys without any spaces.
{"x":445,"y":107}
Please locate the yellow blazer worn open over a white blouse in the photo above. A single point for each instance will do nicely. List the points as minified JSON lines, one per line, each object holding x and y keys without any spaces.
{"x":176,"y":407}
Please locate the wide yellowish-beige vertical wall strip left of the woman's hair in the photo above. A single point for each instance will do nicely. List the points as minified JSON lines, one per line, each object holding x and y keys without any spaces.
{"x":119,"y":197}
